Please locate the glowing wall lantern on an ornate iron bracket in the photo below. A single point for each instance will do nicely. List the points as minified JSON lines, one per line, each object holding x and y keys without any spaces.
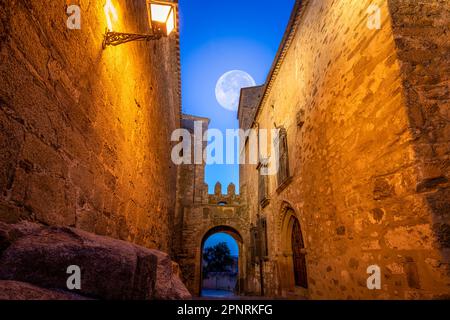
{"x":162,"y":18}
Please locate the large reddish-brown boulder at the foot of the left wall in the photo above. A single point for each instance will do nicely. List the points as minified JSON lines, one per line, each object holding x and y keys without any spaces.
{"x":110,"y":269}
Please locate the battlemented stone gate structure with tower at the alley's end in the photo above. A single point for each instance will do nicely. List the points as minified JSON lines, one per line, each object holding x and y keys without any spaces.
{"x":200,"y":215}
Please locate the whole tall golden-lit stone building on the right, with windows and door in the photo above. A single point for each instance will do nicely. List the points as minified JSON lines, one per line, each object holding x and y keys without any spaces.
{"x":363,"y":152}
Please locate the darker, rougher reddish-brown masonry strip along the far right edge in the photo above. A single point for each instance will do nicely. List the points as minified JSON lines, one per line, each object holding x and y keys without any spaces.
{"x":422,"y":35}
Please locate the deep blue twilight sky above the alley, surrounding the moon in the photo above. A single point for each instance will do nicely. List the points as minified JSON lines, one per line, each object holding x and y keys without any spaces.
{"x":220,"y":36}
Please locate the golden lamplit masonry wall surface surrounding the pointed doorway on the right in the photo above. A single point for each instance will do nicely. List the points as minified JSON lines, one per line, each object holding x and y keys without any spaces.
{"x":356,"y":184}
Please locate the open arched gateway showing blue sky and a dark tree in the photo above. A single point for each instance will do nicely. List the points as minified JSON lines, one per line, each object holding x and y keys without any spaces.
{"x":228,"y":282}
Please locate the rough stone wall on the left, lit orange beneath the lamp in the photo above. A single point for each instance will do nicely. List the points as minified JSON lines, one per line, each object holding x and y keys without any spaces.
{"x":83,"y":131}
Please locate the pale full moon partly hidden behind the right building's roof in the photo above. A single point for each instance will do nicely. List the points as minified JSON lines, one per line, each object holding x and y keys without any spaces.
{"x":228,"y":88}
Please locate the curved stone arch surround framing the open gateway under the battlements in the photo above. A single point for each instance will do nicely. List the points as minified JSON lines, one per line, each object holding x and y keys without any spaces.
{"x":240,"y":242}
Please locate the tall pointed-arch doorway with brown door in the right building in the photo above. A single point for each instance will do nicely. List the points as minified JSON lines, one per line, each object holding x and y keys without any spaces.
{"x":293,"y":270}
